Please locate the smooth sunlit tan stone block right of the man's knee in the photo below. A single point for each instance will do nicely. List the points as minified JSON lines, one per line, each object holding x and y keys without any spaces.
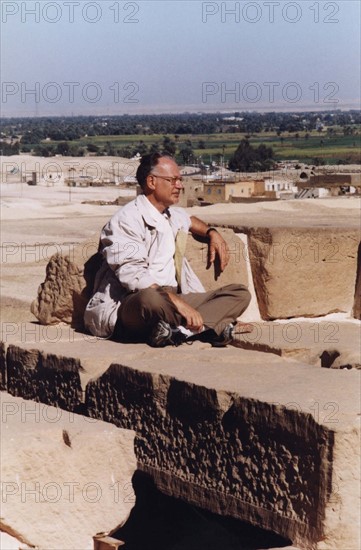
{"x":303,"y":272}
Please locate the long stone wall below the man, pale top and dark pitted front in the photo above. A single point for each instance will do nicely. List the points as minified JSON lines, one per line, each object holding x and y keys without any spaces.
{"x":224,"y":433}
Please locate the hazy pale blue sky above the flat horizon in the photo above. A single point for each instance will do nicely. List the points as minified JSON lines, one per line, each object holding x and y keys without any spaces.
{"x":110,"y":57}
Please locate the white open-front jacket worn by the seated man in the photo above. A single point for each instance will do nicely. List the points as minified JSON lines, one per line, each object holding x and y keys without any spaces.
{"x":129,"y":243}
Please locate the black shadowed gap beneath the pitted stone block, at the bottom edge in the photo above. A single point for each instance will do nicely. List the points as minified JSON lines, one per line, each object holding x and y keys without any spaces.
{"x":165,"y":523}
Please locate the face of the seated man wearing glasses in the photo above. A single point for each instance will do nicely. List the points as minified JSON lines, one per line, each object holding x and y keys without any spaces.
{"x":165,"y":184}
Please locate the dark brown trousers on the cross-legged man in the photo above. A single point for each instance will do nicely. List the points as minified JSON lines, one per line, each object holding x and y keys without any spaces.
{"x":141,"y":310}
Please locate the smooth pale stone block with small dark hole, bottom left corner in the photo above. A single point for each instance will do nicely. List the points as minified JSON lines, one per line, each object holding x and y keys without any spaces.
{"x":65,"y":477}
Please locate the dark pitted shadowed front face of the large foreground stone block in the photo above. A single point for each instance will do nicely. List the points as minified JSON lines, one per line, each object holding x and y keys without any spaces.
{"x":243,"y":457}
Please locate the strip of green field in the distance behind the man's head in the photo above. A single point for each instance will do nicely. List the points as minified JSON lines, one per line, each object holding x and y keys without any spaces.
{"x":326,"y":148}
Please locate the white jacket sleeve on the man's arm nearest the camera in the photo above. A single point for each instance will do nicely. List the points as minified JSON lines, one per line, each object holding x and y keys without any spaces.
{"x":123,"y":247}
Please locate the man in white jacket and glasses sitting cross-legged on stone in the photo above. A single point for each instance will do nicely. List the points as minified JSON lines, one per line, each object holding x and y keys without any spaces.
{"x":144,"y":288}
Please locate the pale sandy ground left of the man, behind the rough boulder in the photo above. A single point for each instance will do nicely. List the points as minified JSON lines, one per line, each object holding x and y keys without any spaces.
{"x":37,"y":222}
